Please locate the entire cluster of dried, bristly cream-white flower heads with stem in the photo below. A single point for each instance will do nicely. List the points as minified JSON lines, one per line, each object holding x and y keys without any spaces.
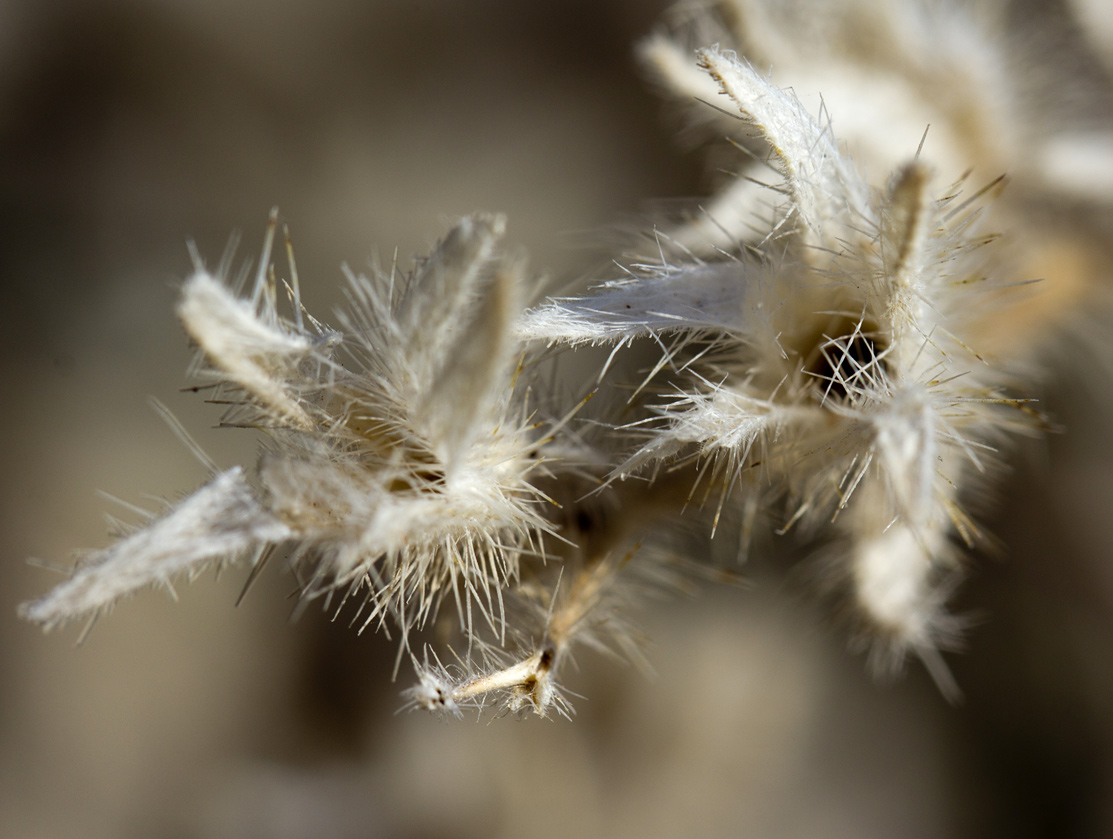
{"x":834,"y":357}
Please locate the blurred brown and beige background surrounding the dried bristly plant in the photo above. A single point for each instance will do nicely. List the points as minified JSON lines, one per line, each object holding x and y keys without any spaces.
{"x":127,"y":129}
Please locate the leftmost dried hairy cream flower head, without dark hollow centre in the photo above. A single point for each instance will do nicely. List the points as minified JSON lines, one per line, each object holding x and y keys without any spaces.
{"x":397,"y":458}
